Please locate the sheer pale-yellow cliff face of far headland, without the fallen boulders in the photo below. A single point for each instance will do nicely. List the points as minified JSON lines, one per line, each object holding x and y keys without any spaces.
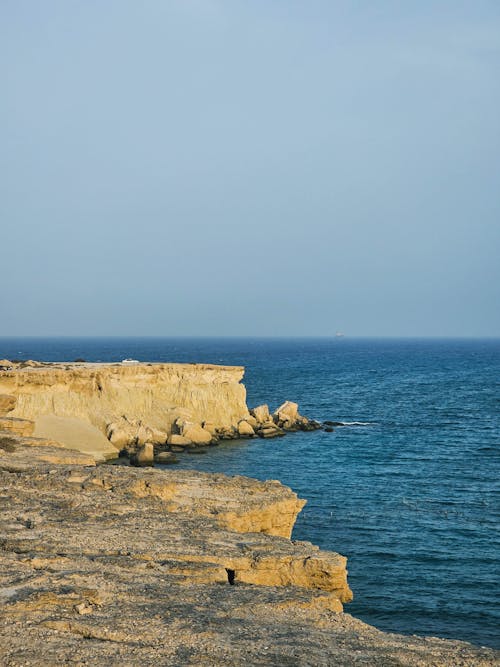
{"x":123,"y":402}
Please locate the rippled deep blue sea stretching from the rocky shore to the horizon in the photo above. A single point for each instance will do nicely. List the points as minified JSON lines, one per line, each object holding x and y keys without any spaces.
{"x":410,"y":493}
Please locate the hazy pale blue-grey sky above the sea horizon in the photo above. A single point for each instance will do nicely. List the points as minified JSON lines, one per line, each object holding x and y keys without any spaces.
{"x":249,"y":168}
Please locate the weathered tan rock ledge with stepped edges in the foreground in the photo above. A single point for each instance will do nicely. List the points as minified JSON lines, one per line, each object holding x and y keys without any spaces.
{"x":119,"y":566}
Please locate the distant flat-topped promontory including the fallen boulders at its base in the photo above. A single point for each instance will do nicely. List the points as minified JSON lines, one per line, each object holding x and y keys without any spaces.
{"x":142,"y":410}
